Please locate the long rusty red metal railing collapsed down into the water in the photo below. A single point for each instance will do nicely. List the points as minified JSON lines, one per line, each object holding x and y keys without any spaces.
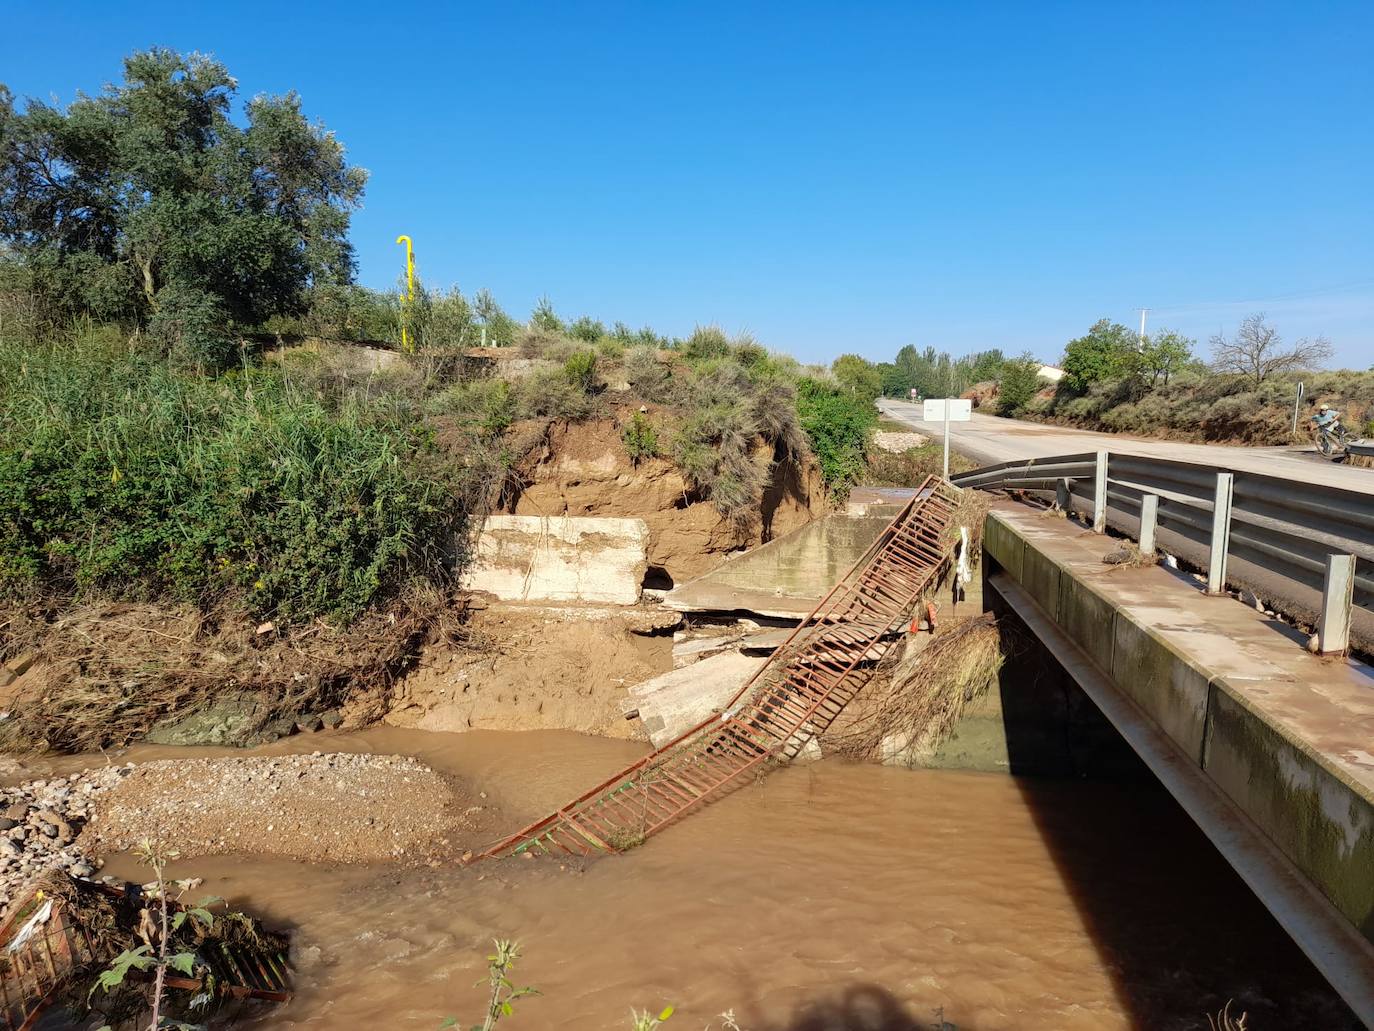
{"x":785,"y":705}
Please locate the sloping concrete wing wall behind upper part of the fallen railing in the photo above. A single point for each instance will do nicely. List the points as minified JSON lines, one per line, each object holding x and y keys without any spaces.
{"x":788,"y":577}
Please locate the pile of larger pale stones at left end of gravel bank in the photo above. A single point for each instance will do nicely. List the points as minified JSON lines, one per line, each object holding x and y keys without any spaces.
{"x":41,"y":828}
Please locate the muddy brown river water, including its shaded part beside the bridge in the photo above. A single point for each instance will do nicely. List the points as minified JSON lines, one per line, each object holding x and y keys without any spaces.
{"x":826,"y":897}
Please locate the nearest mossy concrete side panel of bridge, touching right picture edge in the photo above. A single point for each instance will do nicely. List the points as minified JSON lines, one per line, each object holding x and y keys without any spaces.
{"x":1324,"y":824}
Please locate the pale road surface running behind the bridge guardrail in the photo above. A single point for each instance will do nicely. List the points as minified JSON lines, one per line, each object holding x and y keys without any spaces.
{"x":990,"y":439}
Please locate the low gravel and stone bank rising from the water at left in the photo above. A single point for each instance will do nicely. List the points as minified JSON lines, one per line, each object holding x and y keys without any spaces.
{"x":341,"y":808}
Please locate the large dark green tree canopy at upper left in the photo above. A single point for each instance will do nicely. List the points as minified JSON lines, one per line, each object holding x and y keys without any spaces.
{"x":152,"y":192}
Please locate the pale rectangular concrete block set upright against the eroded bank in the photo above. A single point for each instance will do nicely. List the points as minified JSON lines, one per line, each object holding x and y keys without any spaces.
{"x":561,"y":559}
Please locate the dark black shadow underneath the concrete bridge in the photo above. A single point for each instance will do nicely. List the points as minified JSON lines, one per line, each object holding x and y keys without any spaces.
{"x":1180,"y":930}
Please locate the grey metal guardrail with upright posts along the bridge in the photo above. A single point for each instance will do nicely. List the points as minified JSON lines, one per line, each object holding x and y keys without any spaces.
{"x":1307,"y":549}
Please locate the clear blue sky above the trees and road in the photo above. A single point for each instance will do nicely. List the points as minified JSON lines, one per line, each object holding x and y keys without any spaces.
{"x":831,"y":178}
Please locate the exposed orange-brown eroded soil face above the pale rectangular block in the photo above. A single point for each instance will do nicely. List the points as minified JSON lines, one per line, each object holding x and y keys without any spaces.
{"x":583,"y":469}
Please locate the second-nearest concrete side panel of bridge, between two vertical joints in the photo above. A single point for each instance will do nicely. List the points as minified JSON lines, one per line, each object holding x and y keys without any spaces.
{"x":1162,"y":683}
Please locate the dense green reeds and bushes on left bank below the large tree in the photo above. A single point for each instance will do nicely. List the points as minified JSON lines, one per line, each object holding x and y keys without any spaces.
{"x":124,"y":478}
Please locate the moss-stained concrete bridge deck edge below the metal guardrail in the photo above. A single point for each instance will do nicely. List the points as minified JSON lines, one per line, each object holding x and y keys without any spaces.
{"x":1268,"y":747}
